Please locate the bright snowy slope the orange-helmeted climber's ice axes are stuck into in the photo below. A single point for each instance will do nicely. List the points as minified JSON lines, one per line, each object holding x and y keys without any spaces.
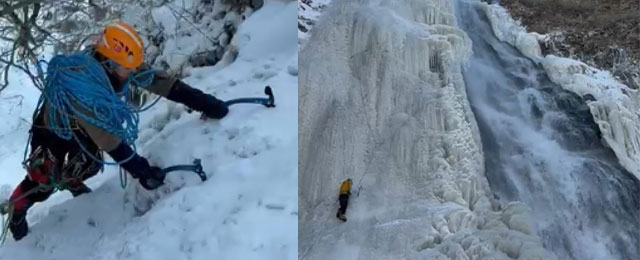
{"x":246,"y":210}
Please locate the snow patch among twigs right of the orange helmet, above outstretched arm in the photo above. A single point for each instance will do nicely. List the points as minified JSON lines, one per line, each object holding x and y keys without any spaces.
{"x":188,"y":29}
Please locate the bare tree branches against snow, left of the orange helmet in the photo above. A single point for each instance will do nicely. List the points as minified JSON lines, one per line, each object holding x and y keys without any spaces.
{"x":28,"y":26}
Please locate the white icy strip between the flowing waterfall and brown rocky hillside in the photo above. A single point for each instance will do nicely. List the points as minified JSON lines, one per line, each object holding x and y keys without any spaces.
{"x":614,"y":106}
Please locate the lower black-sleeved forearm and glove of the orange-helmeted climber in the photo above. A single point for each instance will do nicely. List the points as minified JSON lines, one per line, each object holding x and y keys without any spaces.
{"x":149,"y":177}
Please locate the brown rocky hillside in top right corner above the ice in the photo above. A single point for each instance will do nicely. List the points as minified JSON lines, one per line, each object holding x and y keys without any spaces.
{"x":601,"y":33}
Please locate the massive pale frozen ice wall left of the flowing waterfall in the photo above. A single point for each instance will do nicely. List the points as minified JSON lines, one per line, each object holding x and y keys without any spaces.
{"x":383,"y":102}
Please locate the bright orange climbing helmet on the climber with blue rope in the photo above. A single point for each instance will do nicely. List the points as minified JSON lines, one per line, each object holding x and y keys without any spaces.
{"x":122,"y":44}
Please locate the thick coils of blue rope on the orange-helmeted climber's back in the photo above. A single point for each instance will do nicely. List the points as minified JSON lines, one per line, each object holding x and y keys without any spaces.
{"x":77,"y":86}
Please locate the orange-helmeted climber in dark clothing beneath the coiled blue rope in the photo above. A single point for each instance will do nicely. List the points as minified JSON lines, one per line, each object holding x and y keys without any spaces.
{"x":69,"y":162}
